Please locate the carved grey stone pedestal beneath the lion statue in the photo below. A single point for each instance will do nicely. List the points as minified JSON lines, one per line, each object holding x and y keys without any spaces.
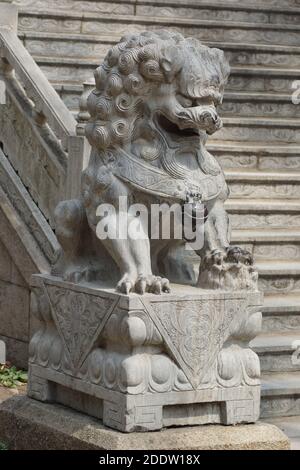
{"x":140,"y":363}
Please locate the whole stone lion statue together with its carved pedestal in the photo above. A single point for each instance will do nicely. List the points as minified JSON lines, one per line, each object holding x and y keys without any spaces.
{"x":136,"y":360}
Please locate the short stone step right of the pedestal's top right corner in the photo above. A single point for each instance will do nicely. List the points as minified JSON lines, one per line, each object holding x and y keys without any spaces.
{"x":281,"y":313}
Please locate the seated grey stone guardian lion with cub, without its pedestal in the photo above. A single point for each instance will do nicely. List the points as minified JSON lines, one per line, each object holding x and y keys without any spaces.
{"x":151,"y":112}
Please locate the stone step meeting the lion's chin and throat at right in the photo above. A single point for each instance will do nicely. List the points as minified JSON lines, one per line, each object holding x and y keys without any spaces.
{"x":259,"y":155}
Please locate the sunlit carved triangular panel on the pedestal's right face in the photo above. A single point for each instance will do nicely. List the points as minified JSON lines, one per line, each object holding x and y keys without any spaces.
{"x":195,"y":331}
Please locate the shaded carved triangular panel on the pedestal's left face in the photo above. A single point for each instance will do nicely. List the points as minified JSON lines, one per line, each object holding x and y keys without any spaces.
{"x":79,"y":318}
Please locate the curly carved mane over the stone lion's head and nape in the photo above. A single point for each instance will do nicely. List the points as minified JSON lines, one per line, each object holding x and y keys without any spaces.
{"x":130,"y":71}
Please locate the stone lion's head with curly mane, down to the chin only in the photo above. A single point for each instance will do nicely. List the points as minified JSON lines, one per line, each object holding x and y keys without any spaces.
{"x":158,"y":74}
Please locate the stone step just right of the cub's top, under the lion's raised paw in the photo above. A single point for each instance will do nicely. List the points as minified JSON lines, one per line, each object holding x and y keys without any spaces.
{"x":268,"y":245}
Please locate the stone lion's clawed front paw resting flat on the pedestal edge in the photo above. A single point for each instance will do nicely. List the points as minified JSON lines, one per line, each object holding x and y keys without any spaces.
{"x":142,"y":284}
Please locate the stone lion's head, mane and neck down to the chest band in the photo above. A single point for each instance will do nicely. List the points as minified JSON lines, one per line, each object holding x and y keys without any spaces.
{"x":155,"y":100}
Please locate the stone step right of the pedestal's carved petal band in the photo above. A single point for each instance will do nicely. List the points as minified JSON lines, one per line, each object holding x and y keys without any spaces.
{"x":279,"y":352}
